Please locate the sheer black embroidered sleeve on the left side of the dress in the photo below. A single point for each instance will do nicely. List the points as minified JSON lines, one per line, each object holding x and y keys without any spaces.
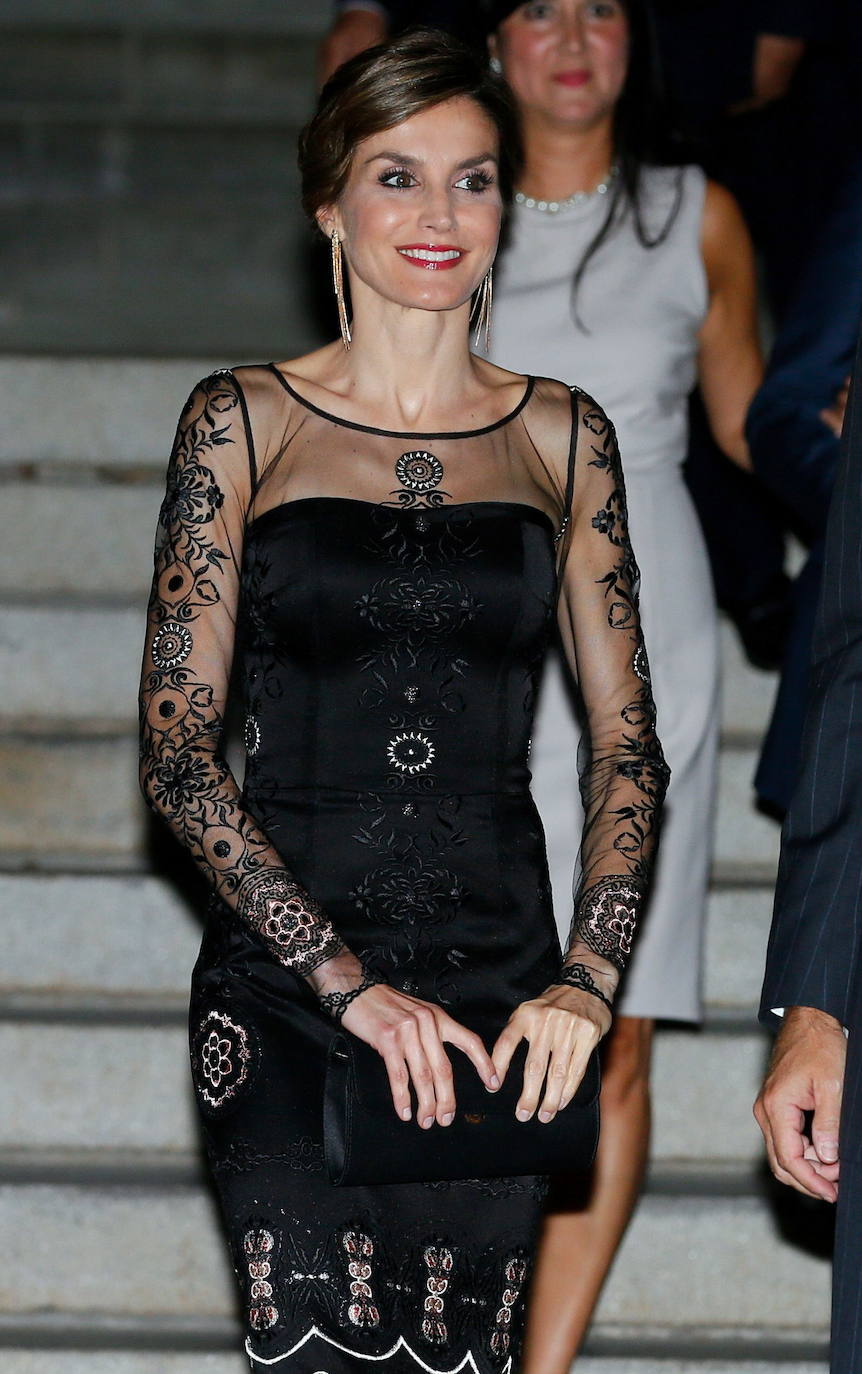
{"x":185,"y":681}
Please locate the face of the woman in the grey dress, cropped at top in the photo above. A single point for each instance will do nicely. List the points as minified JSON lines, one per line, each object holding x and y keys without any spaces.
{"x":566,"y":60}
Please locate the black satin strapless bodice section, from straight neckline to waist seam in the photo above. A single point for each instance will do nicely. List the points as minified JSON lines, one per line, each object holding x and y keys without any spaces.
{"x":394,"y":649}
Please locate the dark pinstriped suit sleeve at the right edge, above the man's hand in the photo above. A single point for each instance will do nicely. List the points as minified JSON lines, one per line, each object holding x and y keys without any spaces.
{"x":817,"y":928}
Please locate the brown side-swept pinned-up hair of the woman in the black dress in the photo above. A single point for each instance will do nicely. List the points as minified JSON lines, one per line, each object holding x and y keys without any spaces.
{"x":388,"y":85}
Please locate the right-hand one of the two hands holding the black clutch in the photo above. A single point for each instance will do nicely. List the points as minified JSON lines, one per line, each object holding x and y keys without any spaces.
{"x":563,"y":1028}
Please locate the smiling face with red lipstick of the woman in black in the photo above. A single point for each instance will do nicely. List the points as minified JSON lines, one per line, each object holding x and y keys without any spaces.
{"x":421,"y":212}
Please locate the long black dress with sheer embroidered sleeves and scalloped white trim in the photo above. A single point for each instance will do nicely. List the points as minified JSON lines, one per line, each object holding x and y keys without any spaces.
{"x":388,"y":600}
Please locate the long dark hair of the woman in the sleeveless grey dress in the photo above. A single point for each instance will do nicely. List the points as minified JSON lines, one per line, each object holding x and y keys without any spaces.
{"x":641,"y":139}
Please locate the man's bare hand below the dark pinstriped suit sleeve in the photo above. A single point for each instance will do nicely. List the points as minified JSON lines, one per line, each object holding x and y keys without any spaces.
{"x":806,"y":1075}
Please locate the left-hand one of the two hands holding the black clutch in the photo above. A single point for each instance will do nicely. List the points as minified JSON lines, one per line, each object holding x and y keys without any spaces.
{"x":409,"y":1035}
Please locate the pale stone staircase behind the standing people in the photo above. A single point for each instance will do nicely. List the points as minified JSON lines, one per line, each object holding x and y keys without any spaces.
{"x":148,"y":200}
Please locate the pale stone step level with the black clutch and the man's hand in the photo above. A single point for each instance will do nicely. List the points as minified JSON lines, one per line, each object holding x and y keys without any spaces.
{"x":127,"y":1088}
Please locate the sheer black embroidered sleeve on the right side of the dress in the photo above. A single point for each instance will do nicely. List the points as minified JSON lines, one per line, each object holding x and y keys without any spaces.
{"x":623,"y":774}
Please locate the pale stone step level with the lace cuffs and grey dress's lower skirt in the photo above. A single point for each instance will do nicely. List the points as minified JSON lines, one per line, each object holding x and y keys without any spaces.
{"x":85,"y":936}
